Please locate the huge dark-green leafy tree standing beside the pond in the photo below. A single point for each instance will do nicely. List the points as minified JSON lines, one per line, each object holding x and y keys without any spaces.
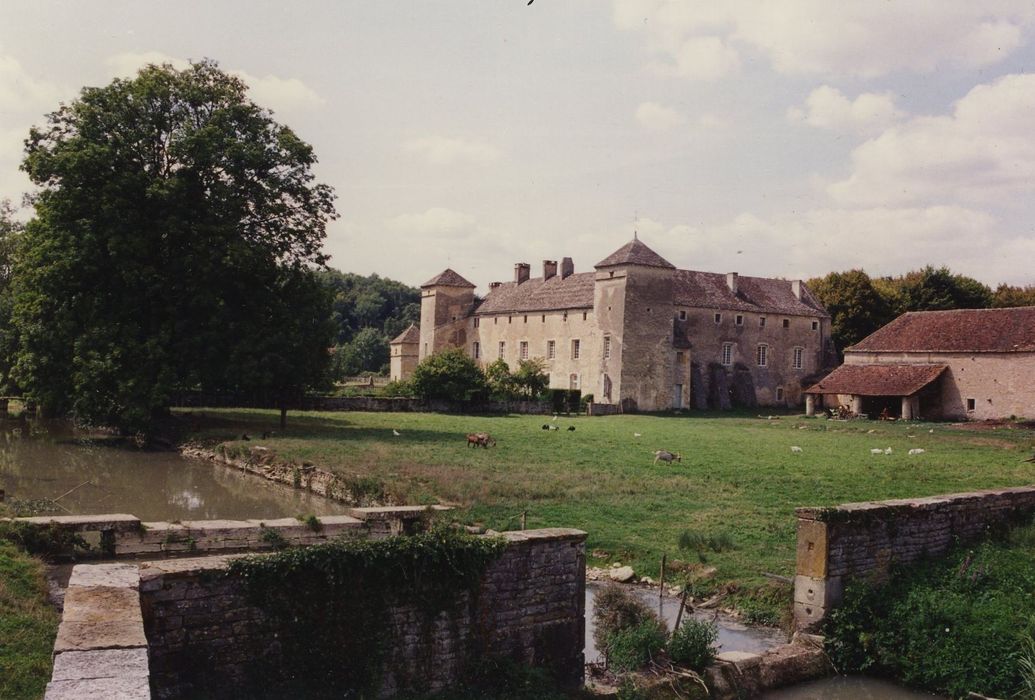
{"x":175,"y":232}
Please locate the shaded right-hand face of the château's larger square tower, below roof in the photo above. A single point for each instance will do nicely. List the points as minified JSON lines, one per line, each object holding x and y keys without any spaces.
{"x":647,"y":354}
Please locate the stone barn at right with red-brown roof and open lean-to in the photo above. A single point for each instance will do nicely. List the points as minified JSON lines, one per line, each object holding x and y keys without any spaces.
{"x":967,"y":364}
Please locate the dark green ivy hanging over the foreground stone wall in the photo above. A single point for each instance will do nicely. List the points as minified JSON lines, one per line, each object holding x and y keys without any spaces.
{"x":330,"y":605}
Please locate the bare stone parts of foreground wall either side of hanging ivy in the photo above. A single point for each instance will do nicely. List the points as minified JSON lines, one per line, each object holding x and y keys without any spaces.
{"x":202,"y":632}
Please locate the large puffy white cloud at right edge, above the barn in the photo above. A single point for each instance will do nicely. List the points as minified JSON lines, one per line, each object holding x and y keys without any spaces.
{"x":985,"y":152}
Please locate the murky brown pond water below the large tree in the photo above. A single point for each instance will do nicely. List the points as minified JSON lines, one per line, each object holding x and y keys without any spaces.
{"x":48,"y":460}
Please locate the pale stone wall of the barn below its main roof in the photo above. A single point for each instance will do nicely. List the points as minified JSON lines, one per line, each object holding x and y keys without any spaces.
{"x":999,"y":385}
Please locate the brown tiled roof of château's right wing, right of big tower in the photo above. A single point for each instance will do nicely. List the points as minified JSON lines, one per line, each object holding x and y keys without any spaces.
{"x":762,"y":296}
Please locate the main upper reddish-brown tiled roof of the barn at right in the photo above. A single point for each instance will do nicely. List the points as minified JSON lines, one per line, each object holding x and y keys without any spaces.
{"x":961,"y":331}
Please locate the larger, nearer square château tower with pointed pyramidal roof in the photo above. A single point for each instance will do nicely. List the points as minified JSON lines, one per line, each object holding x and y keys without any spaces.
{"x":633,"y":302}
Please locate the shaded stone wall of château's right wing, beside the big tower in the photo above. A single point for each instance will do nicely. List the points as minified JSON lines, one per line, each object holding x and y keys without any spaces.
{"x":779,"y":384}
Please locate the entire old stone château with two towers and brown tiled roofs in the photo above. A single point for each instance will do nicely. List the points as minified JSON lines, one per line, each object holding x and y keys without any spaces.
{"x":626,"y":333}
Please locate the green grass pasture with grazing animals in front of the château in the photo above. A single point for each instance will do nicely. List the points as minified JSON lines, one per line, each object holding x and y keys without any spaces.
{"x":737,"y":485}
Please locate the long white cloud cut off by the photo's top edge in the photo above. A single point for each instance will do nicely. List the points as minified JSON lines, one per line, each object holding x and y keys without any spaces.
{"x":819,"y":37}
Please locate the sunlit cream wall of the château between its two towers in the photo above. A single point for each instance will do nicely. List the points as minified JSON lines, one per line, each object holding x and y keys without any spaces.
{"x":538,"y":330}
